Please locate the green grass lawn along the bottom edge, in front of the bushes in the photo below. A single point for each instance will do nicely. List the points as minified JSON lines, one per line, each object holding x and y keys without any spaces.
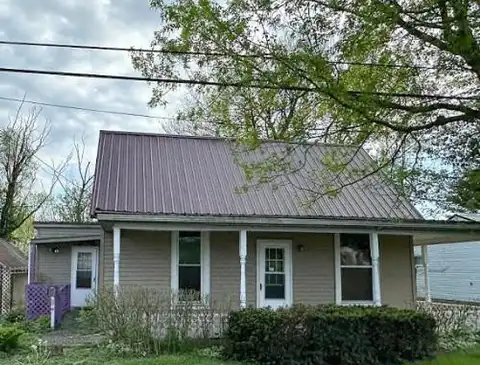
{"x":96,"y":356}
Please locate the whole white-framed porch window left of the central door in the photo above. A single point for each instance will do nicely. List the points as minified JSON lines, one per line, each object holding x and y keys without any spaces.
{"x":190,"y":270}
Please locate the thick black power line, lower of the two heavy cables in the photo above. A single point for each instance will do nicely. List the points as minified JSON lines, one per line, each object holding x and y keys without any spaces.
{"x":225,"y":84}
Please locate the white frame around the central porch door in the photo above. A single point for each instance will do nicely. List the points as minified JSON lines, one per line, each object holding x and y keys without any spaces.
{"x":275,"y":243}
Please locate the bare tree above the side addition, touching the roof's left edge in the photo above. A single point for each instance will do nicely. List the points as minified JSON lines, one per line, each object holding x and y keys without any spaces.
{"x":73,"y":202}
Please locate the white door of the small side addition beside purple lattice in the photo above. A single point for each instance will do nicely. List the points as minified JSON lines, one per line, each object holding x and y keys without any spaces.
{"x":84,"y":274}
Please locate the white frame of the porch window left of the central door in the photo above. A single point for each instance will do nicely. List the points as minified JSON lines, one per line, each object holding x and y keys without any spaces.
{"x":204,"y":262}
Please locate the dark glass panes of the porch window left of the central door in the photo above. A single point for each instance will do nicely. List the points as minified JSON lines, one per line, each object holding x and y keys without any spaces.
{"x":189,"y":262}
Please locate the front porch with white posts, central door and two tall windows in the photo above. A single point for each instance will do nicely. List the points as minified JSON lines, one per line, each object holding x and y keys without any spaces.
{"x":263,"y":268}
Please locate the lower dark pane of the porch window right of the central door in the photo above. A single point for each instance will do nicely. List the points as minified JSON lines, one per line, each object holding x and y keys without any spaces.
{"x":357,"y":284}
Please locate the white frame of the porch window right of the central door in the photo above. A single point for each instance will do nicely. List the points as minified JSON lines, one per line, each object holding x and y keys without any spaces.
{"x":338,"y":273}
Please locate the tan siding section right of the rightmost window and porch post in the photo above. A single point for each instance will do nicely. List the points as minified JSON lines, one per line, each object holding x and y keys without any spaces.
{"x":396,"y":274}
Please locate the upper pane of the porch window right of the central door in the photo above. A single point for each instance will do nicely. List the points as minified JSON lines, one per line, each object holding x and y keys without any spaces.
{"x":355,"y":249}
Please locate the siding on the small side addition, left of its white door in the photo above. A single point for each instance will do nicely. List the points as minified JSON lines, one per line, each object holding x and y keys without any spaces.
{"x":54,"y":268}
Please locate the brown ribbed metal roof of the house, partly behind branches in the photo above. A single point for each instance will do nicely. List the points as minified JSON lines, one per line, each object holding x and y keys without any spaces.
{"x":162,"y":174}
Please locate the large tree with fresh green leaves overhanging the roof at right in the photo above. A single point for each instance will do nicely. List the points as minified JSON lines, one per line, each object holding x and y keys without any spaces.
{"x":383,"y":74}
